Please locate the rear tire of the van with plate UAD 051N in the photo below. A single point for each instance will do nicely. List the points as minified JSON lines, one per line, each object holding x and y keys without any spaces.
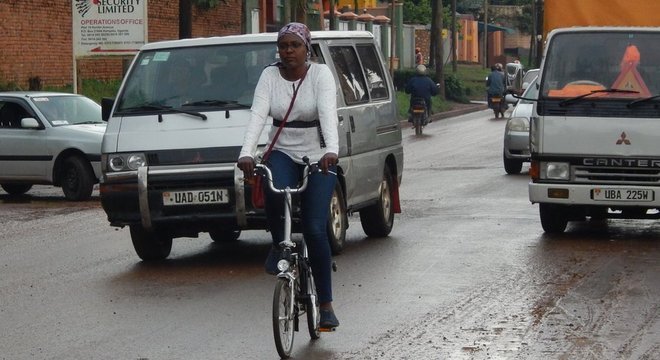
{"x":378,"y":219}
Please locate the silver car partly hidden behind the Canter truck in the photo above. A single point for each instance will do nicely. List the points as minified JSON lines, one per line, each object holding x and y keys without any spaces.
{"x":516,"y":132}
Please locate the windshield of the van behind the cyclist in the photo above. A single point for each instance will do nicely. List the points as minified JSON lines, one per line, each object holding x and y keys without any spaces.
{"x":192,"y":78}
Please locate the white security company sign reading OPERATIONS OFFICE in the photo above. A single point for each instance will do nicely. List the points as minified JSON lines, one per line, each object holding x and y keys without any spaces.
{"x":108,"y":27}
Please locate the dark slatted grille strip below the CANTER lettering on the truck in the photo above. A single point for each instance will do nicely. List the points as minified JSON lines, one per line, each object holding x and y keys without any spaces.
{"x":609,"y":175}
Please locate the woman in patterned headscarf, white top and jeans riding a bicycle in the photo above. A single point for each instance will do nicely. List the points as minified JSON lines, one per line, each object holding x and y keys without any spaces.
{"x":309,"y":130}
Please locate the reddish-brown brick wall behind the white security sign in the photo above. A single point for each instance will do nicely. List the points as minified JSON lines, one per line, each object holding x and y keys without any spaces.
{"x":37,"y":40}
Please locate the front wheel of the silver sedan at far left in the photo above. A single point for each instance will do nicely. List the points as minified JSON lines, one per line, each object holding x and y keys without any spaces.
{"x":77,"y":179}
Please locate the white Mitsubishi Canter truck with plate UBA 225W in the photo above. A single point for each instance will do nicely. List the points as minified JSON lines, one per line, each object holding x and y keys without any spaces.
{"x":594,"y":130}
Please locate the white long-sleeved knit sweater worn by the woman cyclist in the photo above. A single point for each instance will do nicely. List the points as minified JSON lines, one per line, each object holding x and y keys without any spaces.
{"x":316,"y":99}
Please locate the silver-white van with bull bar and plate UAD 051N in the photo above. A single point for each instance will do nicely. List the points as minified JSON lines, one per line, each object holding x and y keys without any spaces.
{"x":176,"y":128}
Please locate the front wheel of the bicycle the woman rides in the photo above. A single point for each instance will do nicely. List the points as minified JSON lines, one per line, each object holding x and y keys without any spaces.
{"x":283,"y":318}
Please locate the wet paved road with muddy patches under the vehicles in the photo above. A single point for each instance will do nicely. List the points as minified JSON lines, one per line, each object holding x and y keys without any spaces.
{"x":467,"y":273}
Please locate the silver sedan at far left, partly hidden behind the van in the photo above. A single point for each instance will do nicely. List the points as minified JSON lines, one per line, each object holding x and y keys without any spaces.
{"x":50,"y":138}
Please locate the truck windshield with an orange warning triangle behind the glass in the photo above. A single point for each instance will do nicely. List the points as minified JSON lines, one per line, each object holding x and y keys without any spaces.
{"x":602,"y":66}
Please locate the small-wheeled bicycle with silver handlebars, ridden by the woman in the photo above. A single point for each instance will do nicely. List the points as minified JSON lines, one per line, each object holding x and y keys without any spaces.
{"x":295,"y":290}
